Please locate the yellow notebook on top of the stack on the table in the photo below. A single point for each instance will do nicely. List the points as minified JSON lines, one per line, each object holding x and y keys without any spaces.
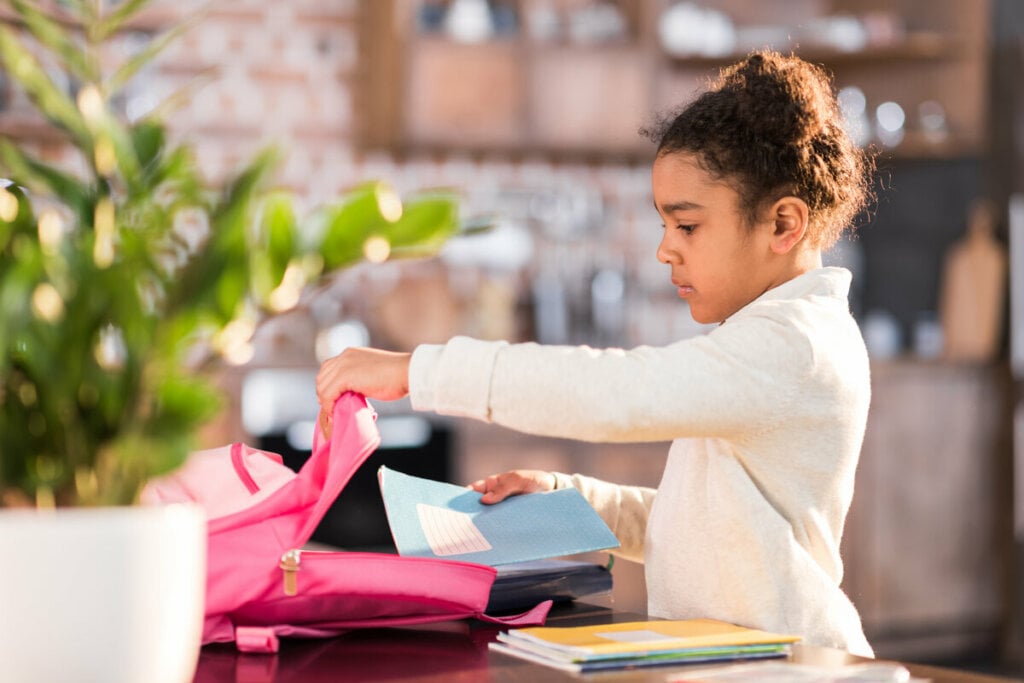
{"x":639,"y":638}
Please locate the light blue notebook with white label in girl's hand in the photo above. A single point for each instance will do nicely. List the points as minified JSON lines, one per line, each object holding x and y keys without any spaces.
{"x":436,"y":520}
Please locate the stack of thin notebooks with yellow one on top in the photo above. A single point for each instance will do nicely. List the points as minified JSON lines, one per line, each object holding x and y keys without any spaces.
{"x":641,"y":645}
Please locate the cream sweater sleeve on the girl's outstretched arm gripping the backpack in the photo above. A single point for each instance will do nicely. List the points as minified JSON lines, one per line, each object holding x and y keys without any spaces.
{"x":720,"y":385}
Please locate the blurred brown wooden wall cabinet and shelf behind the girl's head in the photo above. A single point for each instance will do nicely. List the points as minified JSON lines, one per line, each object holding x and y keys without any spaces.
{"x":515,"y":96}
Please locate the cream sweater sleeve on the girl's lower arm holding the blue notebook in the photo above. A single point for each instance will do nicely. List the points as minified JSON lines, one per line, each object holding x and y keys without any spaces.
{"x":624,"y":509}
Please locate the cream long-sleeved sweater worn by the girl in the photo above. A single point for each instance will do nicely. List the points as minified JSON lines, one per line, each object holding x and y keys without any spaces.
{"x":766,"y":415}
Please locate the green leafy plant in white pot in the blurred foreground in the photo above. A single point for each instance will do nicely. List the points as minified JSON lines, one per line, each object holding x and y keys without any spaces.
{"x":118,"y":285}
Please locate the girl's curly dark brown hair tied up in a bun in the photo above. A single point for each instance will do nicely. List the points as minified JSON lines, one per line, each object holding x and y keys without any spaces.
{"x":772,"y":127}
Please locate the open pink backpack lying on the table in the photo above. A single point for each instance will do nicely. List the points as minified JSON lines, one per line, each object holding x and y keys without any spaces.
{"x":262,"y":584}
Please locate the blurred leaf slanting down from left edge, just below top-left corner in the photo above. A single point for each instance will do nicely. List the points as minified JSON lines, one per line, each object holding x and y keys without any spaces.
{"x":53,"y":103}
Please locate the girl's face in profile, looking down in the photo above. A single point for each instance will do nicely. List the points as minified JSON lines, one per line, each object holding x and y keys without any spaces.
{"x":719,"y":264}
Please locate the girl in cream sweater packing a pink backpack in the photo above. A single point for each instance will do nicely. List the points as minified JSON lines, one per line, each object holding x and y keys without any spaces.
{"x":766,"y":414}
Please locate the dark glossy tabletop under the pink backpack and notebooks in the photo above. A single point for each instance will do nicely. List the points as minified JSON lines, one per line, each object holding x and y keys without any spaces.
{"x":457,"y":653}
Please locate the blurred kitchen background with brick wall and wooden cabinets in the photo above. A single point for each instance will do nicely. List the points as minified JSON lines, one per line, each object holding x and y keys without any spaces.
{"x":532,"y":108}
